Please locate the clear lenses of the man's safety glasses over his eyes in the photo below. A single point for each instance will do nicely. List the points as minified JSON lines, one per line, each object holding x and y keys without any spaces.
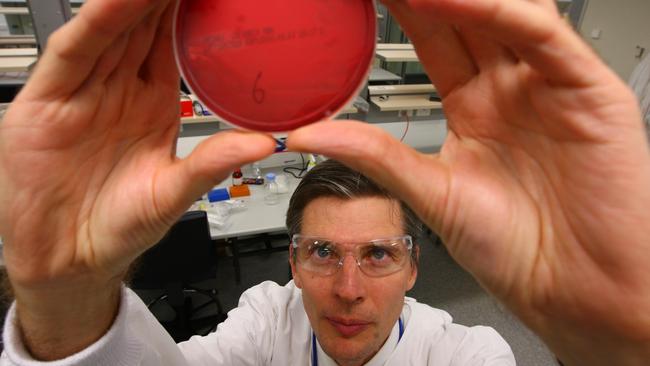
{"x":376,"y":258}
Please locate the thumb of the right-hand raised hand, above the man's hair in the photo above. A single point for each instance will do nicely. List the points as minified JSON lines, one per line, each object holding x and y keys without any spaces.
{"x":420,"y":180}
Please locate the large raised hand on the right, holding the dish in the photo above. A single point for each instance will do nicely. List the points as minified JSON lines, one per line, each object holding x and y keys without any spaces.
{"x":542,"y":188}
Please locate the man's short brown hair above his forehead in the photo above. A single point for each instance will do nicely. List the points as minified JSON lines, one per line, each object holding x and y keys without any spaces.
{"x":333,"y":179}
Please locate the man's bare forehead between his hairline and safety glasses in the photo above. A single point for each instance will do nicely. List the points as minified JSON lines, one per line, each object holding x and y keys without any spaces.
{"x":352,"y":220}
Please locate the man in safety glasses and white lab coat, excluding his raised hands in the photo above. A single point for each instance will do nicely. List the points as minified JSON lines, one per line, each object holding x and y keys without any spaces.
{"x":353,"y":258}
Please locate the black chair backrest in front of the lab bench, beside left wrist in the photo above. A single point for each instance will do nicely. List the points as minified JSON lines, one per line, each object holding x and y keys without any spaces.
{"x":185,"y":254}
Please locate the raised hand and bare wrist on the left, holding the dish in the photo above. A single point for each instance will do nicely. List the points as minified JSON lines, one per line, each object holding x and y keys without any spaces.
{"x":88,"y":174}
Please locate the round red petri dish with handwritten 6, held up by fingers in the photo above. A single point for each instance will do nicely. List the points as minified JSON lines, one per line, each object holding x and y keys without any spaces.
{"x":275,"y":65}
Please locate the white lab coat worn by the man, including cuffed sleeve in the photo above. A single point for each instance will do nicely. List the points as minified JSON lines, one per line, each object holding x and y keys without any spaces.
{"x":269,"y":327}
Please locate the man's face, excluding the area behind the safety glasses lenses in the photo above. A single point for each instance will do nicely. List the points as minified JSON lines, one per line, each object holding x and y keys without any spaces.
{"x":351,"y":313}
